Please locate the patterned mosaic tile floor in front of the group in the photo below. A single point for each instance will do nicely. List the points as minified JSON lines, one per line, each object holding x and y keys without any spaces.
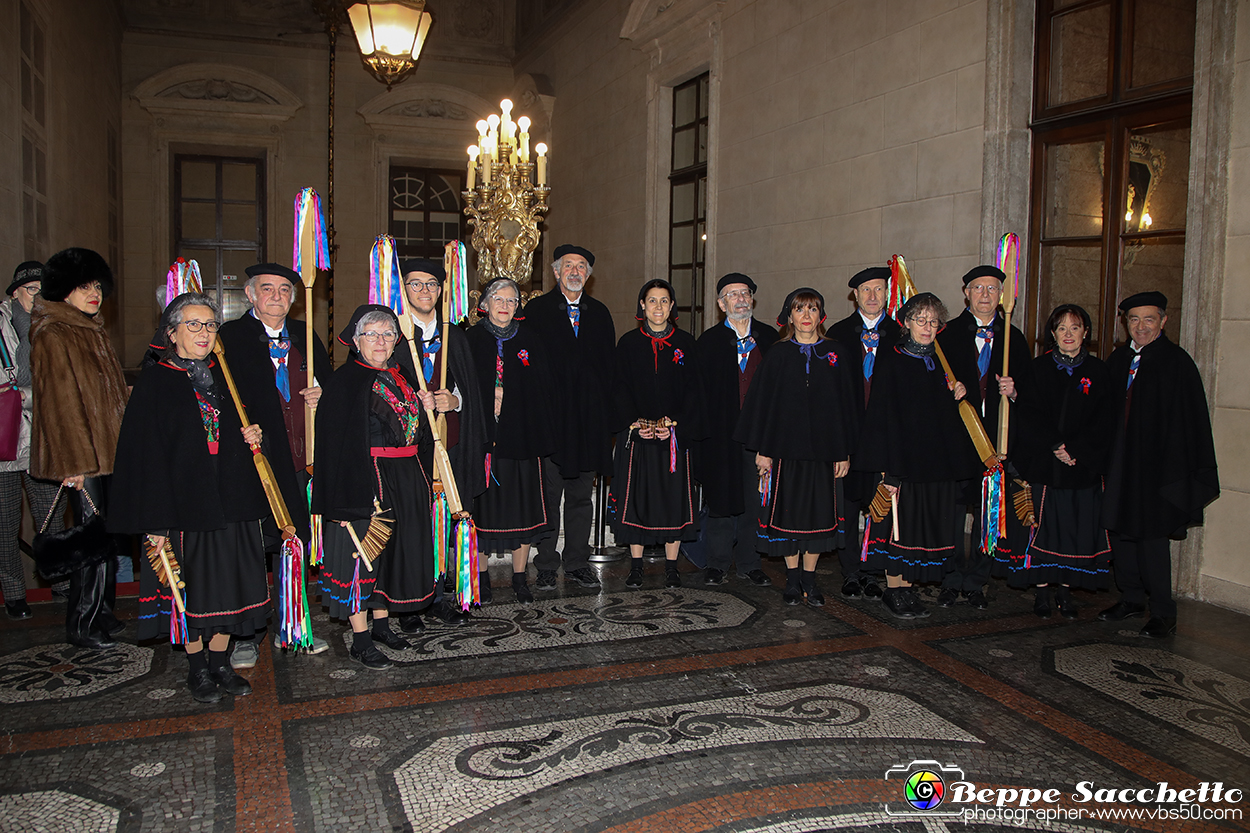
{"x":703,"y":709}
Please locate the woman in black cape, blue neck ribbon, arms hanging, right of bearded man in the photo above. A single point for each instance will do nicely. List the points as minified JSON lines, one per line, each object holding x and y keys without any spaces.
{"x":799,"y":420}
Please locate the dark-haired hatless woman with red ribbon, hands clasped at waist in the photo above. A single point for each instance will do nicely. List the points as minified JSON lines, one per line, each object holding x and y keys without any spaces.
{"x":658,"y":402}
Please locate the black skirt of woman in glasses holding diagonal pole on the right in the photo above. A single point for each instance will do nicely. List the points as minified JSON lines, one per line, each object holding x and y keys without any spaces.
{"x":928,"y":525}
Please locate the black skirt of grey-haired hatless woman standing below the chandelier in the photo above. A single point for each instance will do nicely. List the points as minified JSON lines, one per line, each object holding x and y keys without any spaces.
{"x":513,"y":510}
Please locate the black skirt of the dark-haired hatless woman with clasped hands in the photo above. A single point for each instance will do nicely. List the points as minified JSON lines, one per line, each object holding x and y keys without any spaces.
{"x":651,"y":505}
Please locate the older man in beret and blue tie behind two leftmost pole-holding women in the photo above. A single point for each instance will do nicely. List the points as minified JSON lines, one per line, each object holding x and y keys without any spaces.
{"x":268,"y":356}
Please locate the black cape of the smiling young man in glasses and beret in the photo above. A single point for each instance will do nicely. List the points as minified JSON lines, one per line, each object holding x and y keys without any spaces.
{"x":469,"y":453}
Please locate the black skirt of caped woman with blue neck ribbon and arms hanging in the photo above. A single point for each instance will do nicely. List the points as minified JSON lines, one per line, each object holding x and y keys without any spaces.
{"x":802,"y":510}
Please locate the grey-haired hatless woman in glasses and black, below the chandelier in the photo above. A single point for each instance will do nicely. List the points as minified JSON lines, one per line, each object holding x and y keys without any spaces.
{"x":514,"y":375}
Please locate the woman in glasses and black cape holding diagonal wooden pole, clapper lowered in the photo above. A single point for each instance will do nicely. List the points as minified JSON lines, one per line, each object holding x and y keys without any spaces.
{"x":913,"y":435}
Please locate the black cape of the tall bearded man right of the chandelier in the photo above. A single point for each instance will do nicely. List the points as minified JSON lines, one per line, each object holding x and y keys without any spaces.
{"x":584,"y":367}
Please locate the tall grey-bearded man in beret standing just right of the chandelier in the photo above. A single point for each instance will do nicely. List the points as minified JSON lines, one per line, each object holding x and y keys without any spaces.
{"x":582,"y":341}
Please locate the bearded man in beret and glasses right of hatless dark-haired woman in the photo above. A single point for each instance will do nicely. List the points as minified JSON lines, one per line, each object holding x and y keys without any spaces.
{"x":727,"y":358}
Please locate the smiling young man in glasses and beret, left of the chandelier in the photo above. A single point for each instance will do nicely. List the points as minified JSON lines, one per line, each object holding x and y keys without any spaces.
{"x":461,"y":401}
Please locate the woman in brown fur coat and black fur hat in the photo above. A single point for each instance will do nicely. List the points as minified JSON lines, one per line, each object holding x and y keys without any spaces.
{"x":79,"y":396}
